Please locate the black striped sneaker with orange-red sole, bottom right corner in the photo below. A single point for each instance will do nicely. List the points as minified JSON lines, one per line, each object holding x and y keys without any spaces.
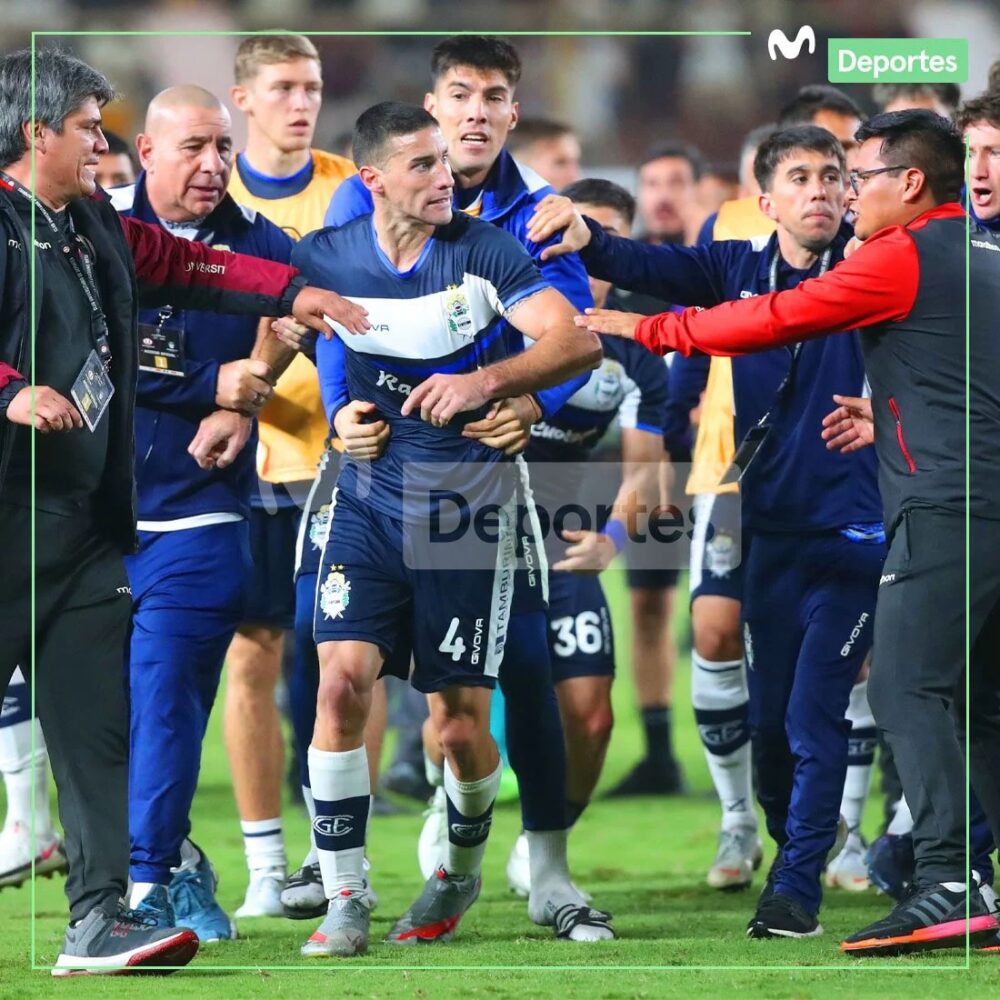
{"x":930,"y":917}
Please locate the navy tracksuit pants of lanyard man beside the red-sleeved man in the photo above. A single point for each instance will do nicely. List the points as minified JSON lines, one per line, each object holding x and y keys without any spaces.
{"x":808,"y":608}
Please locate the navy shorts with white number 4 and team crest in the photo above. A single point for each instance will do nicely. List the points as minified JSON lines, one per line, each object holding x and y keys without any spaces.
{"x":455,"y":620}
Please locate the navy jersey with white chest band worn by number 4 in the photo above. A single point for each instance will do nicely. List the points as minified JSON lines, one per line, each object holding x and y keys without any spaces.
{"x":438,"y":316}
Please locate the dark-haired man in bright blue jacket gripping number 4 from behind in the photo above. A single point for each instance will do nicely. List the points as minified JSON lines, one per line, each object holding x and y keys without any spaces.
{"x":473,"y":98}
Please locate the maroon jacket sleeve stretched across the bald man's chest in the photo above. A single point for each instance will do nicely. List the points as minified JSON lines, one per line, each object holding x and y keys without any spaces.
{"x":195,"y":276}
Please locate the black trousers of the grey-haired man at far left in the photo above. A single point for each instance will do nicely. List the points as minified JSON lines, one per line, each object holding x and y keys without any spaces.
{"x":82,"y":613}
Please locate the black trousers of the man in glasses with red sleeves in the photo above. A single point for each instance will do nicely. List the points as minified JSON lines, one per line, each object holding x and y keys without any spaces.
{"x":918,"y":664}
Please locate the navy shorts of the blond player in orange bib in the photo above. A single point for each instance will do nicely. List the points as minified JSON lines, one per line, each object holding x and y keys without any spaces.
{"x":271,"y":587}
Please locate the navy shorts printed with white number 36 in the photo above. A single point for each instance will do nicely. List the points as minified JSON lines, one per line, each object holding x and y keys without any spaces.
{"x":581,"y":643}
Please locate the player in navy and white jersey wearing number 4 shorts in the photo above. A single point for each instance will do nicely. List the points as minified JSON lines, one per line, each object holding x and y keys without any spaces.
{"x":435,"y":284}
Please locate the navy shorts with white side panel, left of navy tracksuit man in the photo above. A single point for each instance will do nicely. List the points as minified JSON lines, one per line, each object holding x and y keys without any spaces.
{"x":717,"y":547}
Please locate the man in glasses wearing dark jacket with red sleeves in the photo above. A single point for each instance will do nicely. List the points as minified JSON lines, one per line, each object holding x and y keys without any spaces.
{"x":903,"y":285}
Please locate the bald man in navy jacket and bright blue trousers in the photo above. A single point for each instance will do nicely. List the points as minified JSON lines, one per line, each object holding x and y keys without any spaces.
{"x":198,"y":393}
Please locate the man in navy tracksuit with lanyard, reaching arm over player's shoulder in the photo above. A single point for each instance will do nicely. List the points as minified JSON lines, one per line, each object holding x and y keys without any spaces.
{"x":806,"y":629}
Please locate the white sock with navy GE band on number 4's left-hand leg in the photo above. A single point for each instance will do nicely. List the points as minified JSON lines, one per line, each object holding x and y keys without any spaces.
{"x":341,"y":790}
